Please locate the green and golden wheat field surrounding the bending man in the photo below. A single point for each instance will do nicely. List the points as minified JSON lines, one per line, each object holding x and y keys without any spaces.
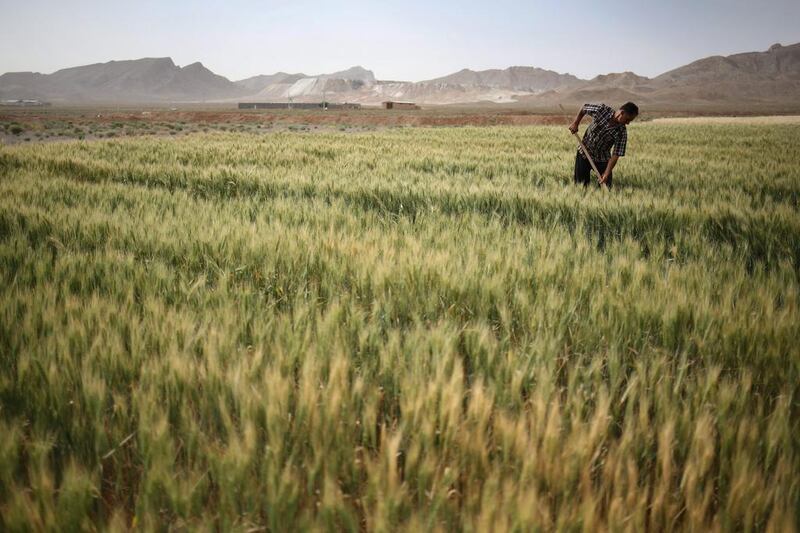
{"x":411,"y":329}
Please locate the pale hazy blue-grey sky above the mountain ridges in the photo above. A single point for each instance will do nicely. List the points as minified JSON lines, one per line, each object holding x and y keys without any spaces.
{"x":400,"y":40}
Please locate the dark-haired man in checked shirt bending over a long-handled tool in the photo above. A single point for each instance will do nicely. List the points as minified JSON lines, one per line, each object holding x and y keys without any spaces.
{"x":607,"y":130}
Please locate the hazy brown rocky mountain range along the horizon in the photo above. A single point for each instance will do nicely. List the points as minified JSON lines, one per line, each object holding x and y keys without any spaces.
{"x":769,"y":77}
